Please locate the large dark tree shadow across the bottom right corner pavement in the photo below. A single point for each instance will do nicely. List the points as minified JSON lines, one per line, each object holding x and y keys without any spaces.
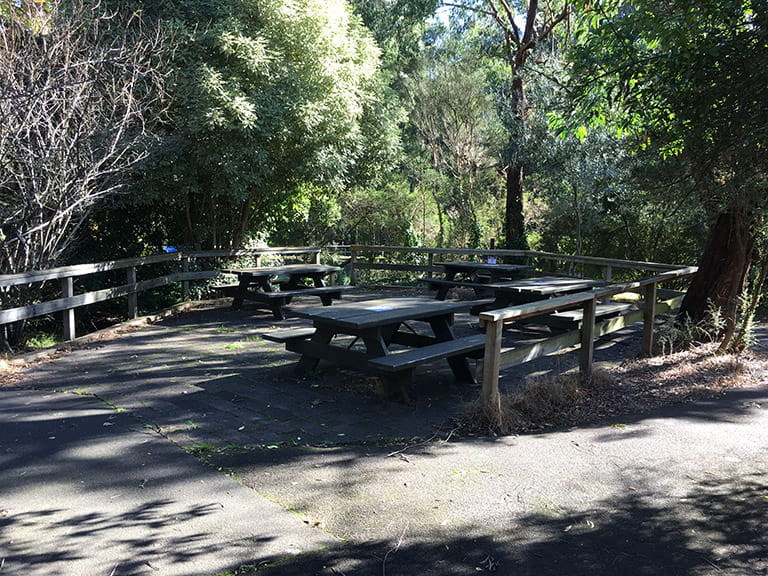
{"x":717,"y":528}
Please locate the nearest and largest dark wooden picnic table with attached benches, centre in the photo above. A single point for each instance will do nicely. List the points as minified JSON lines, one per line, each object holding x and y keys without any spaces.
{"x":377,"y":325}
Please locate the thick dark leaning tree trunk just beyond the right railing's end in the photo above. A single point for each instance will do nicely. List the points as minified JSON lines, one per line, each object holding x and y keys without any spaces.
{"x":722,"y":272}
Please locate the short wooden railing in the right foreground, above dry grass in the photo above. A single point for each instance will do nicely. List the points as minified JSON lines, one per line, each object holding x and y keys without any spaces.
{"x":496,"y":359}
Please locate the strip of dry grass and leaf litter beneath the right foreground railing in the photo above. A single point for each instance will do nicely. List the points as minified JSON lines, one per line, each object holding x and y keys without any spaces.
{"x":632,"y":387}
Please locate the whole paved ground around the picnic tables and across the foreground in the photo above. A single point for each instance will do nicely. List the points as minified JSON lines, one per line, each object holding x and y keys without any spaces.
{"x":333,"y":480}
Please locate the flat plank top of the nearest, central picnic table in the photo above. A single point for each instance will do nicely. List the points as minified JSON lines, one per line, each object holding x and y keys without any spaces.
{"x":381,"y":312}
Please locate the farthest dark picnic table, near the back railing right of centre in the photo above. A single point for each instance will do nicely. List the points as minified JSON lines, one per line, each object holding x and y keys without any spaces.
{"x":475,"y":275}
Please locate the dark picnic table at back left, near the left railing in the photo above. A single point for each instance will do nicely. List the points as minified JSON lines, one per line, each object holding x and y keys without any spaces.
{"x":277,"y":285}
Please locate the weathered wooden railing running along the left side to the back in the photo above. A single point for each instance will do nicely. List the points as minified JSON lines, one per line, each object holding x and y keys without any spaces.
{"x":66,"y":276}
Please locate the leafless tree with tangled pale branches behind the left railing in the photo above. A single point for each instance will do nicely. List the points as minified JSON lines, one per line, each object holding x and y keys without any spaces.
{"x":80,"y":94}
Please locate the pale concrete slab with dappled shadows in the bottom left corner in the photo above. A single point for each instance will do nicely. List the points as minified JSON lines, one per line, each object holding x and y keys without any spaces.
{"x":85,"y":490}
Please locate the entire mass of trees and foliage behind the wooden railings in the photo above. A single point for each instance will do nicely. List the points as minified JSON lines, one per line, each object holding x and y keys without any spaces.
{"x":632,"y":130}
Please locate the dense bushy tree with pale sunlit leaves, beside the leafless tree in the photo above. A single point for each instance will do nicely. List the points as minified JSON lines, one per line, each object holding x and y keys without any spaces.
{"x":269,"y":98}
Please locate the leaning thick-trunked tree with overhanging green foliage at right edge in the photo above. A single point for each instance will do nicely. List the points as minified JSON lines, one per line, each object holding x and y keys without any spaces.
{"x":692,"y":79}
